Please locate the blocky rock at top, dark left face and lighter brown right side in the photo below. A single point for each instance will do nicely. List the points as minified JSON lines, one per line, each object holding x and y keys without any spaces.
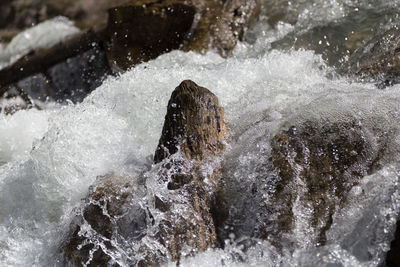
{"x":145,"y":29}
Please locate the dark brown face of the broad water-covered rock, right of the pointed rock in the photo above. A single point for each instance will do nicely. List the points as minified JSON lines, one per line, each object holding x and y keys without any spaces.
{"x":317,"y":165}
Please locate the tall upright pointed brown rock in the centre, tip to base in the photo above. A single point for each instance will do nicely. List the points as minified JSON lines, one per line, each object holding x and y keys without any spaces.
{"x":194,"y":129}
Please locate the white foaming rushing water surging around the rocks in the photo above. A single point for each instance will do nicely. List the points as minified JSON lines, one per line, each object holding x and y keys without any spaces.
{"x":281,"y":75}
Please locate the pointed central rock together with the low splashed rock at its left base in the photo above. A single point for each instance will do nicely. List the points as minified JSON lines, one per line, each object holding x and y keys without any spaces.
{"x":178,"y":219}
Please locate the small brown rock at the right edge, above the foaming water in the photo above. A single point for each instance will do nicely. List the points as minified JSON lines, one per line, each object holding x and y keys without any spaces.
{"x":378,"y":60}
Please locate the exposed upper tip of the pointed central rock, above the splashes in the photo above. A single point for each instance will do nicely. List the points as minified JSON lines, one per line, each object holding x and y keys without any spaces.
{"x":194,"y":123}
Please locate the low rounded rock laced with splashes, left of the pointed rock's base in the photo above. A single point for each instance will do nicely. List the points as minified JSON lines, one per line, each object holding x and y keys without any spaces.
{"x":110,"y":211}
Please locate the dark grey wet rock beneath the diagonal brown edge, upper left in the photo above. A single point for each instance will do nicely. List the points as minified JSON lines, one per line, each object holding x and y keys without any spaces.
{"x":72,"y":79}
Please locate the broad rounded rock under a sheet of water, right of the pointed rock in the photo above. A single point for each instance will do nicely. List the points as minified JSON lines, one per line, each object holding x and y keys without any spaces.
{"x":293,"y":181}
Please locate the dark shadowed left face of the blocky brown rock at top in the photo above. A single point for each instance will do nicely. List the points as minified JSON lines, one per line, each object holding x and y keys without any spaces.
{"x":139,"y":32}
